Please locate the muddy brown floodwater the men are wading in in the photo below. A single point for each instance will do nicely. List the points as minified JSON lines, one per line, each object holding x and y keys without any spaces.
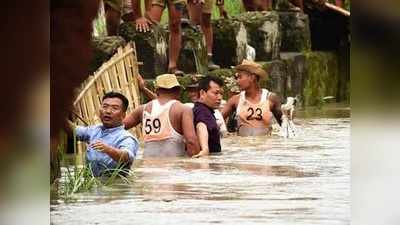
{"x":255,"y":180}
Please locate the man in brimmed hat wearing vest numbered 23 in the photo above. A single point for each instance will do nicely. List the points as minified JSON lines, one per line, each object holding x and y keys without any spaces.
{"x":254,"y":105}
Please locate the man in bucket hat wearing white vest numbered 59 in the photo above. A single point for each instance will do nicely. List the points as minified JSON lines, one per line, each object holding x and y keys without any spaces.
{"x":168,"y":129}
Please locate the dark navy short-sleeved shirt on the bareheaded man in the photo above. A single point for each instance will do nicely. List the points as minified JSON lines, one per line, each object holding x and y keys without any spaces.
{"x":203,"y":113}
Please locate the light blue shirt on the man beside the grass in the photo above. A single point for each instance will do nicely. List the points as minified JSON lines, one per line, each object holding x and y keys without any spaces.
{"x":116,"y":137}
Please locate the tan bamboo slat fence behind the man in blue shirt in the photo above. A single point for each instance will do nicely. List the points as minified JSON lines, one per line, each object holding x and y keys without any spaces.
{"x":117,"y":74}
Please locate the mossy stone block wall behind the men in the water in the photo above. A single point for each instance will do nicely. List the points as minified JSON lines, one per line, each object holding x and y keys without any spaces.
{"x":282,"y":43}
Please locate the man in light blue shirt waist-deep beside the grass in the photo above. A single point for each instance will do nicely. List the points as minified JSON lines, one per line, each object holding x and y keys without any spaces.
{"x":110,"y":145}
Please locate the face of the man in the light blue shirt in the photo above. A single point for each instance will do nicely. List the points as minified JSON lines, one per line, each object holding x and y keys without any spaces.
{"x":111,"y":112}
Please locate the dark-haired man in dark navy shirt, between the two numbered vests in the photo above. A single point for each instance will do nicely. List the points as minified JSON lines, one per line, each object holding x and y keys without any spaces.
{"x":205,"y":122}
